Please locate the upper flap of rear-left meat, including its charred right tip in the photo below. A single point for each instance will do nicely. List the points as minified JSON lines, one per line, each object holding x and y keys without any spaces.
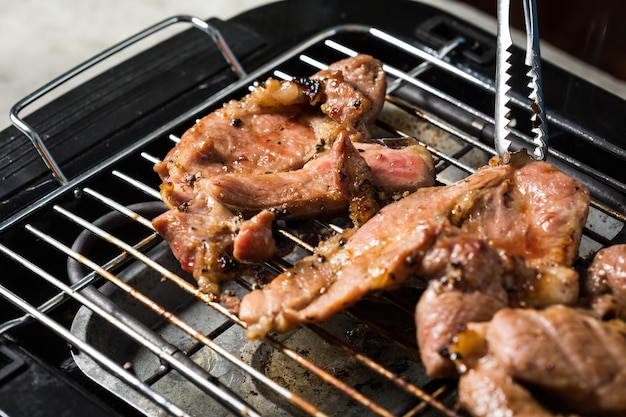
{"x":277,"y":127}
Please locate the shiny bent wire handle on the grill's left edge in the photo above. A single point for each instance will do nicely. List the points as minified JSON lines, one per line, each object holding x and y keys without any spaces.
{"x":36,"y":138}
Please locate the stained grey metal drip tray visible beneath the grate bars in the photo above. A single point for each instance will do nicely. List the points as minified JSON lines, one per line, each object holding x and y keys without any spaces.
{"x":272,"y":363}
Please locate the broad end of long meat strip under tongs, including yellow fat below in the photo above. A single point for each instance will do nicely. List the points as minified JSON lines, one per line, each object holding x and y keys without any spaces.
{"x":537,"y":213}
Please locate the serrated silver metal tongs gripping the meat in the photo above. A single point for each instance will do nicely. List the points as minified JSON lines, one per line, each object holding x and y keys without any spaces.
{"x":503,"y":76}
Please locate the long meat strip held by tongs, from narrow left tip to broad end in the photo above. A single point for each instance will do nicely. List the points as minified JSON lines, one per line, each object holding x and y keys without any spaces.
{"x":389,"y":248}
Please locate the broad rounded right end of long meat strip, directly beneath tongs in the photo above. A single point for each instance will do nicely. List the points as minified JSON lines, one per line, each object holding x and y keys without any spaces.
{"x":536,"y":213}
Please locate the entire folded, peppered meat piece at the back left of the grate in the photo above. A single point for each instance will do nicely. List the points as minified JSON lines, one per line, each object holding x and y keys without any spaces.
{"x":279,"y":131}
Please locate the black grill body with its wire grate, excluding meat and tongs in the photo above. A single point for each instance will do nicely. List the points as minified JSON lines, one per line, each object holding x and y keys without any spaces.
{"x":96,"y":316}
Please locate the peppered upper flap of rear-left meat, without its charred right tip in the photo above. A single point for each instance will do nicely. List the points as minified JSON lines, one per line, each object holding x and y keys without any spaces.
{"x":271,"y":129}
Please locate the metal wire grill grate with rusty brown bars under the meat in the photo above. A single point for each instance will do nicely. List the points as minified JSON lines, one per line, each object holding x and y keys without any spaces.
{"x":150,"y":327}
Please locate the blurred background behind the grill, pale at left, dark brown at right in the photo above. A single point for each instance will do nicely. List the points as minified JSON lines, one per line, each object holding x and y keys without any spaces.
{"x":40,"y":40}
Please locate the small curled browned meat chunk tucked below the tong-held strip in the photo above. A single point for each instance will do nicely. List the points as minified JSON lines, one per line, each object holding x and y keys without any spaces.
{"x":466,"y":285}
